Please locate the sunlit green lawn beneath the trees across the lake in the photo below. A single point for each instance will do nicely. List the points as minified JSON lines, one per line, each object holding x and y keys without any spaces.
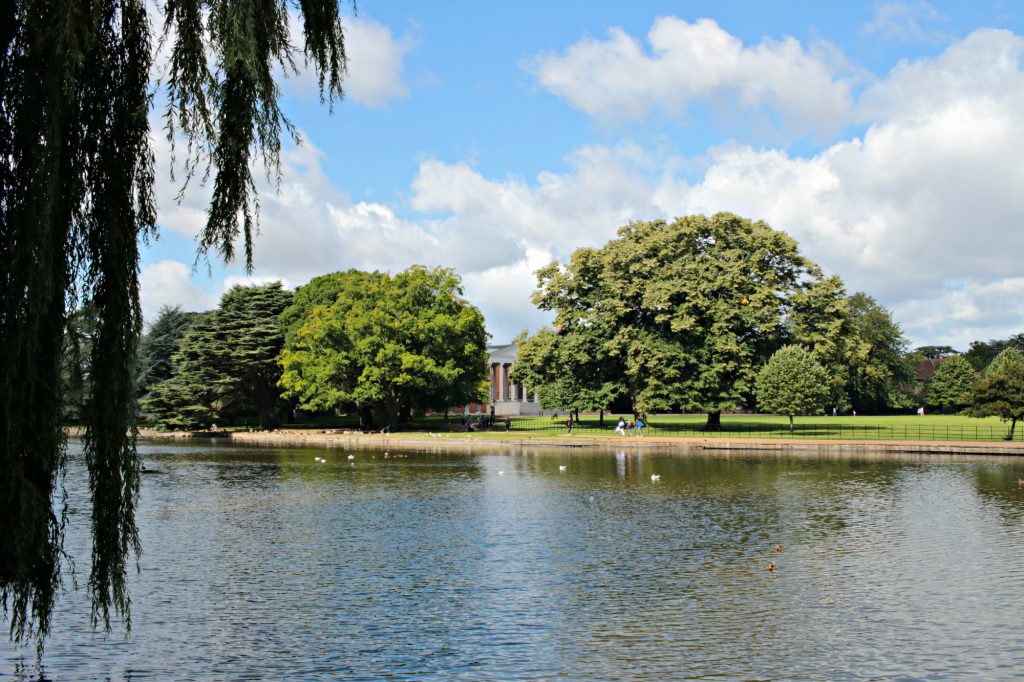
{"x":902,"y":428}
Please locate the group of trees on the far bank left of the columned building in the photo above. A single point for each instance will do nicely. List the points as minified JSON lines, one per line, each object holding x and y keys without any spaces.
{"x":380,"y":346}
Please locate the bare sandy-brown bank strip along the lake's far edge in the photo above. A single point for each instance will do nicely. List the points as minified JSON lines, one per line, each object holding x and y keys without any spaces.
{"x":681,"y":446}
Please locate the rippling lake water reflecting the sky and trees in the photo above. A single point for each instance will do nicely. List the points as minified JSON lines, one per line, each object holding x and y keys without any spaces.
{"x":267,"y":564}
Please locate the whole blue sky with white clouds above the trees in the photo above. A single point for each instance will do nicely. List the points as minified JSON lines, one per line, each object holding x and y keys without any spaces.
{"x":497,"y":138}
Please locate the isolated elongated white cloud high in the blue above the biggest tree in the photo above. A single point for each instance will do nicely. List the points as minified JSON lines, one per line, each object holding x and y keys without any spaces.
{"x":617,"y":79}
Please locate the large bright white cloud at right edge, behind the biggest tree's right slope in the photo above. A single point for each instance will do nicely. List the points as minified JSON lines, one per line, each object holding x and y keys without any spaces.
{"x":924,"y":211}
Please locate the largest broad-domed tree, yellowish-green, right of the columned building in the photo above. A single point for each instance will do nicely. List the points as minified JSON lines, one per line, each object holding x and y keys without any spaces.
{"x":684,"y":312}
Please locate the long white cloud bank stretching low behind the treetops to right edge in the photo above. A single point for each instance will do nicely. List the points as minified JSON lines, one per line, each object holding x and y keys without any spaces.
{"x":923,"y":210}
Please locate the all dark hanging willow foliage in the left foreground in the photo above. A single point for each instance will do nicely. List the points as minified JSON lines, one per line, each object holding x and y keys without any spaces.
{"x":76,"y":197}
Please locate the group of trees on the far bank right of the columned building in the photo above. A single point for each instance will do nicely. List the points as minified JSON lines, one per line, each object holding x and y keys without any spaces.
{"x":717,"y":314}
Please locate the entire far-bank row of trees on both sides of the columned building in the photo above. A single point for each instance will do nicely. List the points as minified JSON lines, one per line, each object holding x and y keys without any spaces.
{"x":701,"y":315}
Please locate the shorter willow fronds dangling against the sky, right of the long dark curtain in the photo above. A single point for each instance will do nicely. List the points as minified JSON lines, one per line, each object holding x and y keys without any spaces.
{"x":229,"y":113}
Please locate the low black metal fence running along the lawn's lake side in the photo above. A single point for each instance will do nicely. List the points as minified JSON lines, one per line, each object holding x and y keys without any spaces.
{"x":732,"y":430}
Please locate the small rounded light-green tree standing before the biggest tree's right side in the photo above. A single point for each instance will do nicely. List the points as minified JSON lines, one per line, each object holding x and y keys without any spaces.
{"x":792,"y":382}
